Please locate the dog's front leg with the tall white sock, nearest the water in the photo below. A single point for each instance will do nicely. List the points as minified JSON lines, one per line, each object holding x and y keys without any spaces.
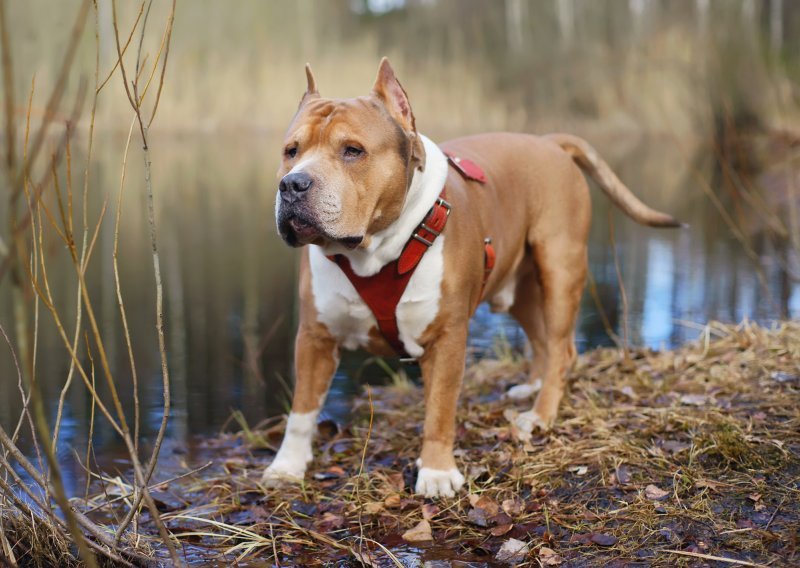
{"x":316,"y":359}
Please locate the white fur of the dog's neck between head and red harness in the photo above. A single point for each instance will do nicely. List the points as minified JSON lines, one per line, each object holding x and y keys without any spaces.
{"x":386,"y":245}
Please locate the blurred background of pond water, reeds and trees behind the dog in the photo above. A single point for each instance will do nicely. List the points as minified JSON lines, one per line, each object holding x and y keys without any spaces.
{"x":695,"y":103}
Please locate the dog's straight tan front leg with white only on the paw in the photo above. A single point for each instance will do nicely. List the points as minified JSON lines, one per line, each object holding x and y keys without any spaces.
{"x":442,"y":372}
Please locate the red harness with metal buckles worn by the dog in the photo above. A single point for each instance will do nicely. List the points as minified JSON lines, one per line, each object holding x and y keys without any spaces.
{"x":382,"y":291}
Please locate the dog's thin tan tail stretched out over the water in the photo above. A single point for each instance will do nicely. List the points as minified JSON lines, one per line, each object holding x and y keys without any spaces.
{"x":590,"y":162}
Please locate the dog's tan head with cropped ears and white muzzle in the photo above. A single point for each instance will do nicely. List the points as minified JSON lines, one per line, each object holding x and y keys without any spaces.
{"x":347,"y":164}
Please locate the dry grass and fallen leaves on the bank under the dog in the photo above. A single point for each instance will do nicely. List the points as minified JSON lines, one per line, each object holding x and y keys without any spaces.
{"x":664,"y":459}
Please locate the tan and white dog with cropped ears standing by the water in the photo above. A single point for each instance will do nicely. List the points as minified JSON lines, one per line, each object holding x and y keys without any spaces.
{"x":357,"y":179}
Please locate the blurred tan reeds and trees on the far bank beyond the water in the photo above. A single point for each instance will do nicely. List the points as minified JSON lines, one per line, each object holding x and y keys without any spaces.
{"x":610,"y":65}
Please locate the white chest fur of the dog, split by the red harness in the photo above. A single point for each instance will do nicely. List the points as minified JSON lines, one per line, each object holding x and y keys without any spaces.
{"x":350,"y":320}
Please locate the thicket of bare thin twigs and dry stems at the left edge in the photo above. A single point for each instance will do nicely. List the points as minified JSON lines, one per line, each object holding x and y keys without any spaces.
{"x":38,"y":523}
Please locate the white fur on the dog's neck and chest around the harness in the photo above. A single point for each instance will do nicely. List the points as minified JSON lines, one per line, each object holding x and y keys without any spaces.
{"x":338,"y":304}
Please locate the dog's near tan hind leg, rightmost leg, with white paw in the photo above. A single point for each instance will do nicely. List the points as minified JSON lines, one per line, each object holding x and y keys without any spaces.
{"x":561,"y":264}
